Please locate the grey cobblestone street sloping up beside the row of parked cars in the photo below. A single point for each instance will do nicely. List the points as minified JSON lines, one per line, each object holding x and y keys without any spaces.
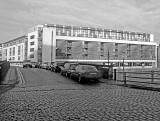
{"x":70,"y":100}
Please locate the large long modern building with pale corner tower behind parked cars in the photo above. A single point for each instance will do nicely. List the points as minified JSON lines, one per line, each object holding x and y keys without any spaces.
{"x":59,"y":43}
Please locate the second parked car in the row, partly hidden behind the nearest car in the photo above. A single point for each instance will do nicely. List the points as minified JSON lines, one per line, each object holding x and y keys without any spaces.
{"x":67,"y":67}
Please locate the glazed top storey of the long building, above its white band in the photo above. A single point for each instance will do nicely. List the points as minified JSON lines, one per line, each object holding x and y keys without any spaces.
{"x":101,"y":33}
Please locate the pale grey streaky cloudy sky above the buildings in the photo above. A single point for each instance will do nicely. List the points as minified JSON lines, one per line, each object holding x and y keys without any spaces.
{"x":18,"y":16}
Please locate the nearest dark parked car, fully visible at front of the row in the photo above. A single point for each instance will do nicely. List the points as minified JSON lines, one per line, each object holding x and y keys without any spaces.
{"x":83,"y":72}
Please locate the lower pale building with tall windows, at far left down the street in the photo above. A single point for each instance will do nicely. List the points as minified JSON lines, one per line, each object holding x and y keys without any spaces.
{"x":15,"y":50}
